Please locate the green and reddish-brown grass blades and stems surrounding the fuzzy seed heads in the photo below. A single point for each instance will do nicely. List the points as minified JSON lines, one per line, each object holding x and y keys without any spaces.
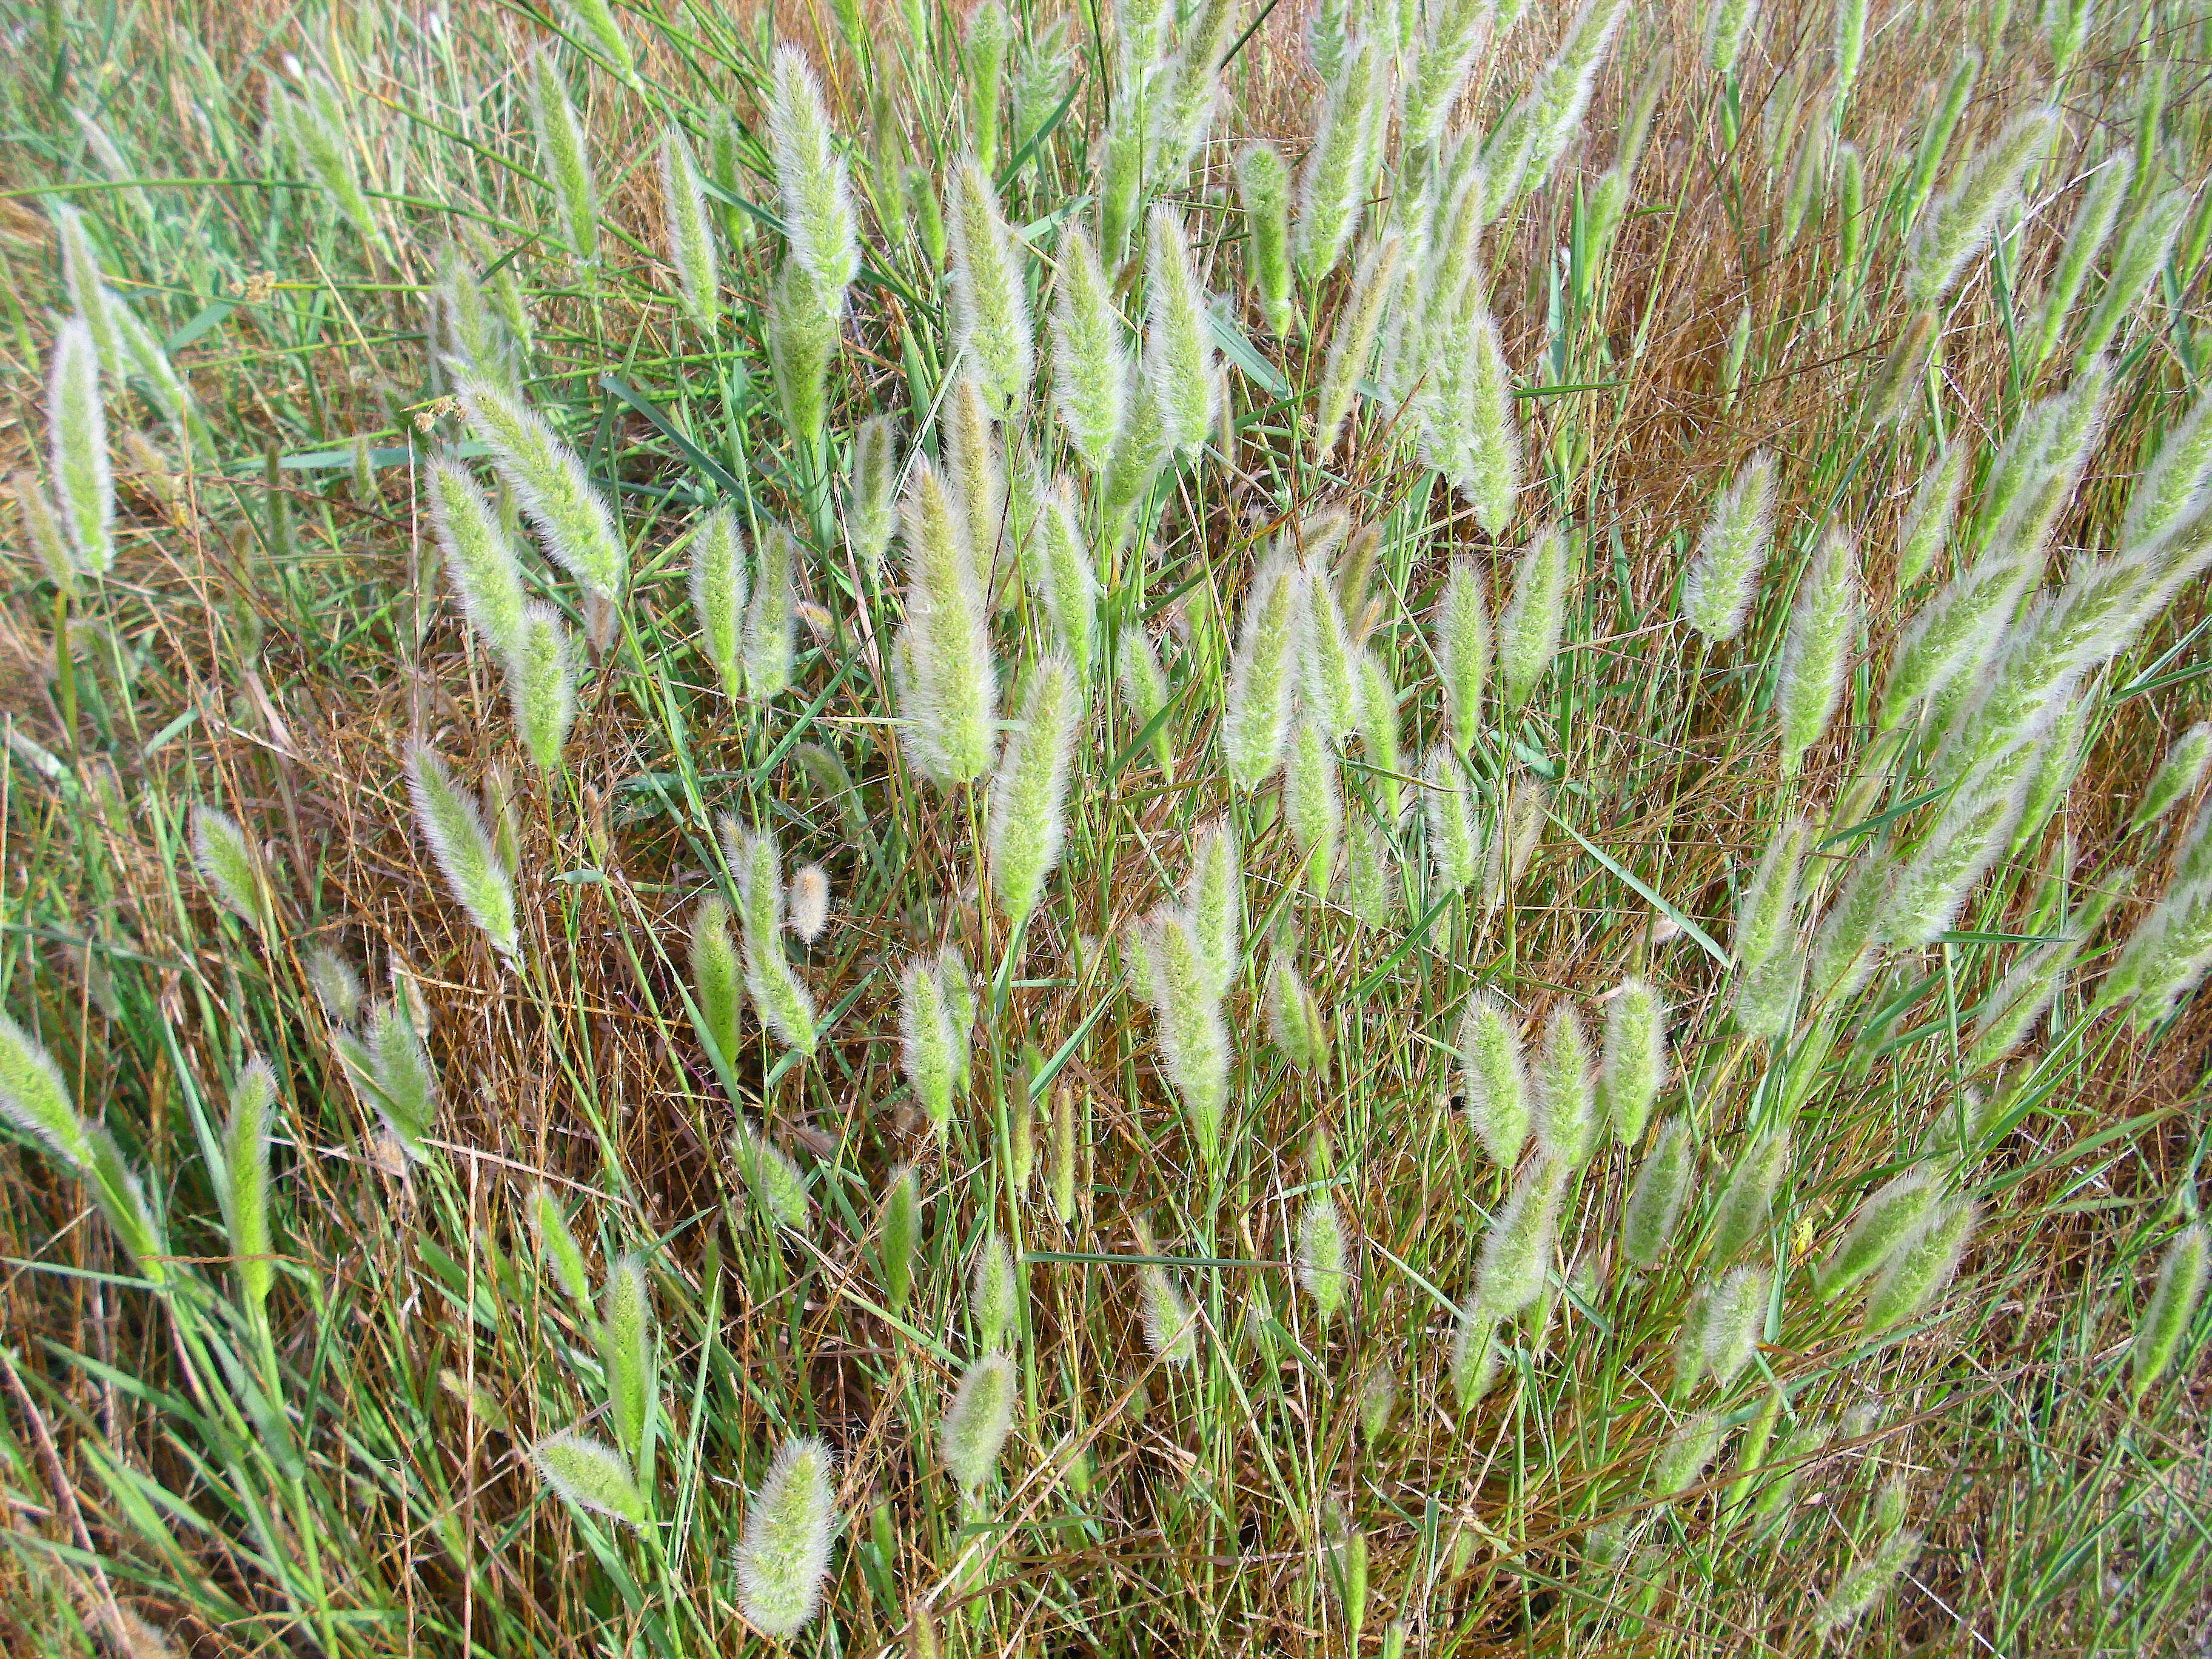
{"x":337,"y":1457}
